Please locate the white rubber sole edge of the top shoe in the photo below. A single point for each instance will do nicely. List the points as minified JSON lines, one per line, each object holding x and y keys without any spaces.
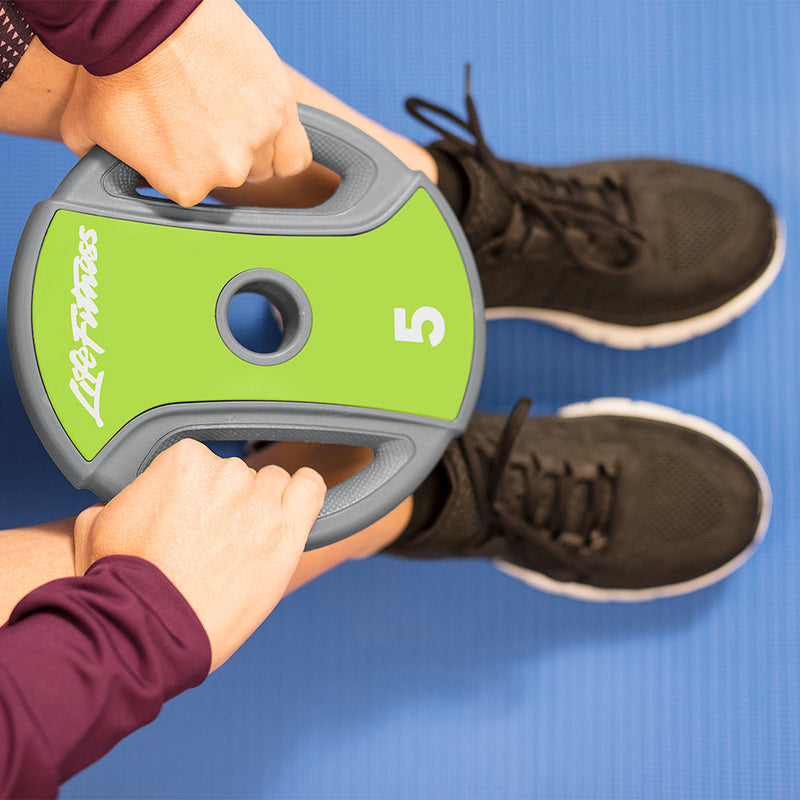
{"x":628,"y":337}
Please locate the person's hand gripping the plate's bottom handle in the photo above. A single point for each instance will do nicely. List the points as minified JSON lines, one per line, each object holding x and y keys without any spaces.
{"x":228,"y":537}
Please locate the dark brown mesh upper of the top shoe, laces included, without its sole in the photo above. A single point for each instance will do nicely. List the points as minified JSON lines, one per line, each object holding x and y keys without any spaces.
{"x":632,"y":242}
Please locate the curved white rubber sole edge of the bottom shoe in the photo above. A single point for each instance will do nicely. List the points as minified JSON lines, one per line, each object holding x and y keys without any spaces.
{"x":622,"y":407}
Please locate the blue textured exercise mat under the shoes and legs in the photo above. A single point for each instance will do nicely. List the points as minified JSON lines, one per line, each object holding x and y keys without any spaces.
{"x":399,"y":680}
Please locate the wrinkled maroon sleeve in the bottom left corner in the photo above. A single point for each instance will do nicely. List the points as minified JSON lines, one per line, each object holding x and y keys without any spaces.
{"x":86,"y":661}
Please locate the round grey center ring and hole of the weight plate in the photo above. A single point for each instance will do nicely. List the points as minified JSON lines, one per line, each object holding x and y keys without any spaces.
{"x":263,"y":316}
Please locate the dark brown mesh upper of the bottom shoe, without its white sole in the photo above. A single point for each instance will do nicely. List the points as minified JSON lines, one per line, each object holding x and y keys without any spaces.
{"x":607,"y":501}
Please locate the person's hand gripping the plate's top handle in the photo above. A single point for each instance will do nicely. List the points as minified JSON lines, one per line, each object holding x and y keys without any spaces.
{"x":211,"y":106}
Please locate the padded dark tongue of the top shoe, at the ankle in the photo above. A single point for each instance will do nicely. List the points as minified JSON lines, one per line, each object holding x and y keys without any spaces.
{"x":486,"y":207}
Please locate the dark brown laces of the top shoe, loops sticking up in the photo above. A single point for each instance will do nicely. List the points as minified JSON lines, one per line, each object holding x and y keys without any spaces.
{"x":575,"y":211}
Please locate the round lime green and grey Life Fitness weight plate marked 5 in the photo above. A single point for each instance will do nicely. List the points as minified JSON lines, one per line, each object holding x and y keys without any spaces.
{"x":120,"y":346}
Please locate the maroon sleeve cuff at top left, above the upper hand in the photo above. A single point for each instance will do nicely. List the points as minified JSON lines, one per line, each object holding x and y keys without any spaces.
{"x":105,"y":36}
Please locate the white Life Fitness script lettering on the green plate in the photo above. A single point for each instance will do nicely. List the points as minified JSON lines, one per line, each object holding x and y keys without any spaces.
{"x":87,"y":379}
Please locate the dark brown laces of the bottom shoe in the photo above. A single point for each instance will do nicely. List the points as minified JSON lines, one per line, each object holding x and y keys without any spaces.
{"x":549,"y":496}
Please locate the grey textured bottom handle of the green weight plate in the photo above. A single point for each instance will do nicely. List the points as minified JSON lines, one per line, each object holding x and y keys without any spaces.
{"x":405,"y":451}
